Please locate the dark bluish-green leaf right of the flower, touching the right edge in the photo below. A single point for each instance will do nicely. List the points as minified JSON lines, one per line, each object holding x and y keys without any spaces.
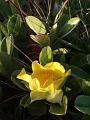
{"x":79,"y":73}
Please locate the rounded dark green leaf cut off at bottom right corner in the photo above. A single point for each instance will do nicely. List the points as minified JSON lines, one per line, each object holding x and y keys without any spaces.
{"x":82,"y":103}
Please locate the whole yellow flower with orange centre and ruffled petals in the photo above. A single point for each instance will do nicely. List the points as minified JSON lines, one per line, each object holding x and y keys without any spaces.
{"x":45,"y":82}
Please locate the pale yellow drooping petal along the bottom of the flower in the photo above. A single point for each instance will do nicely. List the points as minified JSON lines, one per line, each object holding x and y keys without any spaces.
{"x":54,"y":97}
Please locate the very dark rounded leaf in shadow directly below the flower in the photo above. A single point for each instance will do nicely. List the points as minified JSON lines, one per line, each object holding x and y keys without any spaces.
{"x":37,"y":108}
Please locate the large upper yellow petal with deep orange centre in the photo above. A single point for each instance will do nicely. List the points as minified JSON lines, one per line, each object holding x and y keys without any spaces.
{"x":51,"y":71}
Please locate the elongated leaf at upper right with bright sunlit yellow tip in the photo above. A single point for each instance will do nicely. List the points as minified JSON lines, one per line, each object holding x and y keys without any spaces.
{"x":68,"y":27}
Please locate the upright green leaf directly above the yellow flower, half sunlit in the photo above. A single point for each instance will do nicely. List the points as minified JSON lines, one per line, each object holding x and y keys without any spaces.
{"x":46,"y":55}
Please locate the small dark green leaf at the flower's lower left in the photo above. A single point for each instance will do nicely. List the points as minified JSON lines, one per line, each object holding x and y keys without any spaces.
{"x":25,"y":101}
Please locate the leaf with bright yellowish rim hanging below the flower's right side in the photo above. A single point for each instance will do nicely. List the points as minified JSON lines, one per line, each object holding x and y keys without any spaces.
{"x":57,"y":109}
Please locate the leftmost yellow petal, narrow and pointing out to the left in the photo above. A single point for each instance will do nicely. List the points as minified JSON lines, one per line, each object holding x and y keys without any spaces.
{"x":24,"y":76}
